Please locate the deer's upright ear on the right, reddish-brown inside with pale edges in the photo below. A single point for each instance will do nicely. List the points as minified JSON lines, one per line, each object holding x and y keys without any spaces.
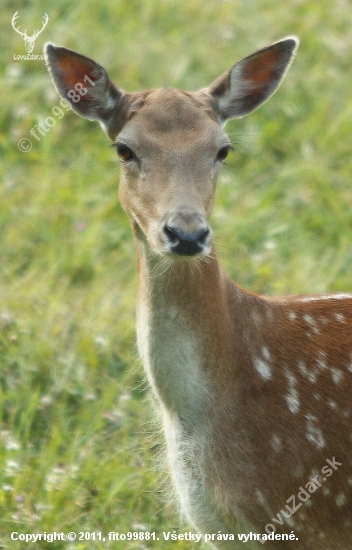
{"x":252,"y":81}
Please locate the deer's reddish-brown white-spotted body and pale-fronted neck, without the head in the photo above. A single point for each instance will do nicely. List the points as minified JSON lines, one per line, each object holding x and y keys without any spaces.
{"x":294,"y":425}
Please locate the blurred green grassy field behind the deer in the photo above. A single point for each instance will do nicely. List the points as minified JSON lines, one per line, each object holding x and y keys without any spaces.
{"x":78,"y":447}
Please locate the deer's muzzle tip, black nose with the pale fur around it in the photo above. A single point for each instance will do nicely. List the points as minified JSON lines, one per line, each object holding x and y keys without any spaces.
{"x":187,"y":234}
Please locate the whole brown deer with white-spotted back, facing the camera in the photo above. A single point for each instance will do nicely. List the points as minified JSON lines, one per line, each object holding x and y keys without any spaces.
{"x":254,"y":392}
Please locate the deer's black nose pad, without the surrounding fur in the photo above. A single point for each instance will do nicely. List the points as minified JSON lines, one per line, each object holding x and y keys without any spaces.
{"x":186,"y":243}
